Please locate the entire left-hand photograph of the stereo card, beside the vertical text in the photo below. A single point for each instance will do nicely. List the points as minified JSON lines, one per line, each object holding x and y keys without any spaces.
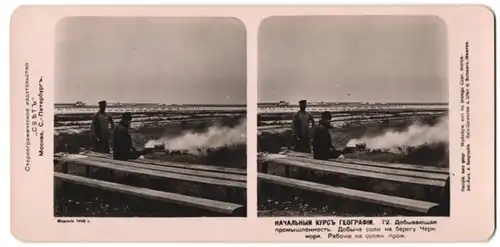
{"x":150,"y":117}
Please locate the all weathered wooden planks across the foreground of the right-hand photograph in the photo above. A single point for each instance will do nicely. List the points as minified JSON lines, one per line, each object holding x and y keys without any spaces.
{"x":430,"y":180}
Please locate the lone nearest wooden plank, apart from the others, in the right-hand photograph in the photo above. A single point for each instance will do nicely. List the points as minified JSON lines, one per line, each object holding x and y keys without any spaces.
{"x":380,"y":199}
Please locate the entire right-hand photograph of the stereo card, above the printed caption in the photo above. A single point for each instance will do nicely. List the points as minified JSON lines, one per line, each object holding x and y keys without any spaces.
{"x":353,"y":116}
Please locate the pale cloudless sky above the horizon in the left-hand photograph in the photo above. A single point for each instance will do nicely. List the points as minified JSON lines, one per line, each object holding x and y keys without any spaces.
{"x":170,"y":60}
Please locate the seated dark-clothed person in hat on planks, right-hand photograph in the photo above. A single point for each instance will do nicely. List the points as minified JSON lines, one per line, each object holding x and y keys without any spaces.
{"x":322,"y":140}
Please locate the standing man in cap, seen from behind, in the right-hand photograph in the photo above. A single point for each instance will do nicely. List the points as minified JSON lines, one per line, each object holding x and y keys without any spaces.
{"x":300,"y":128}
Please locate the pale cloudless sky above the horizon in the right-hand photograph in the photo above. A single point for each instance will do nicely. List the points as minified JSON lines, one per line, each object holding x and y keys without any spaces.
{"x":353,"y":58}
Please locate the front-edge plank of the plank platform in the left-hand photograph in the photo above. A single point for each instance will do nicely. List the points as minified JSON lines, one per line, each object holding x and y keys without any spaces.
{"x":154,"y":173}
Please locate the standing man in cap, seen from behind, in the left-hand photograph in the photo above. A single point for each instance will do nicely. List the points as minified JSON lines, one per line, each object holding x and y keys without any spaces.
{"x":101,"y":121}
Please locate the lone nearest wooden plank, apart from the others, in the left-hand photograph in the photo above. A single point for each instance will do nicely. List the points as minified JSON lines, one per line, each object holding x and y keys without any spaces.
{"x":212,"y":205}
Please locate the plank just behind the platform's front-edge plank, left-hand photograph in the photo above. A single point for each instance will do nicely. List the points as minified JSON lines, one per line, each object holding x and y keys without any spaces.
{"x":174,"y":170}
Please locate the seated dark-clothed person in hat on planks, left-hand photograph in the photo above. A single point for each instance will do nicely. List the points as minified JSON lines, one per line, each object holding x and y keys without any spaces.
{"x":122,"y":141}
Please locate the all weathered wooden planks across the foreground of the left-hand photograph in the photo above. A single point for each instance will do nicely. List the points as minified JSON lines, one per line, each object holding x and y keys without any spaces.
{"x":231,"y":180}
